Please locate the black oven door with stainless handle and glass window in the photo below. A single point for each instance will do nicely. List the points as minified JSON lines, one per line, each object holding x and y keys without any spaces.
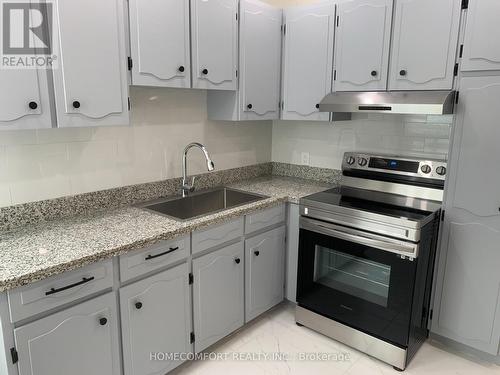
{"x":356,"y":278}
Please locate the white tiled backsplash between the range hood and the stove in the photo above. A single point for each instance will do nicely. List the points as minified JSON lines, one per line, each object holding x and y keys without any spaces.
{"x":423,"y":136}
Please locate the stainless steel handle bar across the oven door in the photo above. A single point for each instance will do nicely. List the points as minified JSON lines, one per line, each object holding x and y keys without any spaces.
{"x":397,"y":247}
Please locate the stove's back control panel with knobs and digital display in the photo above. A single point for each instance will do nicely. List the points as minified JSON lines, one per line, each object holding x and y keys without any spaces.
{"x":396,"y":165}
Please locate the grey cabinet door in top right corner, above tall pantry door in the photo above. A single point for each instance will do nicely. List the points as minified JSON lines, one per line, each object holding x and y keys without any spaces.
{"x":481,"y":49}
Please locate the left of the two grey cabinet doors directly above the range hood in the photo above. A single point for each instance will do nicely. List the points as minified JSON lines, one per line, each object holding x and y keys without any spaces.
{"x":362,"y":45}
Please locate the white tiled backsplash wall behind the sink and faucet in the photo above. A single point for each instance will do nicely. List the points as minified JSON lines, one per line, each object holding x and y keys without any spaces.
{"x":44,"y":164}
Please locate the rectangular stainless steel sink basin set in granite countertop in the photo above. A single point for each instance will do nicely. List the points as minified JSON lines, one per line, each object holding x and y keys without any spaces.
{"x":202,"y":203}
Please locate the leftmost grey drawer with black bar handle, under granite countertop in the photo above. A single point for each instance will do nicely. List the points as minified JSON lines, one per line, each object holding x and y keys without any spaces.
{"x":59,"y":290}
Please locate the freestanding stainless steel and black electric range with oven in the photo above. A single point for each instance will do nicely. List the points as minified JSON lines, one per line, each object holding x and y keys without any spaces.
{"x":366,"y":255}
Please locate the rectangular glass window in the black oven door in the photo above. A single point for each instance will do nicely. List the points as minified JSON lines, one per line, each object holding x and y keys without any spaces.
{"x":354,"y":275}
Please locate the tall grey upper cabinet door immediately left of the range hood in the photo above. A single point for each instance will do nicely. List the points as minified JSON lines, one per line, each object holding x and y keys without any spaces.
{"x":307,"y":60}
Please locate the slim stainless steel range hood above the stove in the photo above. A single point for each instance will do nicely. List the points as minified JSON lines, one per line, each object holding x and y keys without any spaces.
{"x":401,"y":102}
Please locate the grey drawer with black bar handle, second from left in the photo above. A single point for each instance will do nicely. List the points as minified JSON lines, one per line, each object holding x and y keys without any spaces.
{"x":159,"y":255}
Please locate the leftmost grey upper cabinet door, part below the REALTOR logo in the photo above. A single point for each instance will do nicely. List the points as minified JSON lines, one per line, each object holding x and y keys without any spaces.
{"x":24,"y":97}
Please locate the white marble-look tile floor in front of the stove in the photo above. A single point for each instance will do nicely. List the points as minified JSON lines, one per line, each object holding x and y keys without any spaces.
{"x":276,"y":332}
